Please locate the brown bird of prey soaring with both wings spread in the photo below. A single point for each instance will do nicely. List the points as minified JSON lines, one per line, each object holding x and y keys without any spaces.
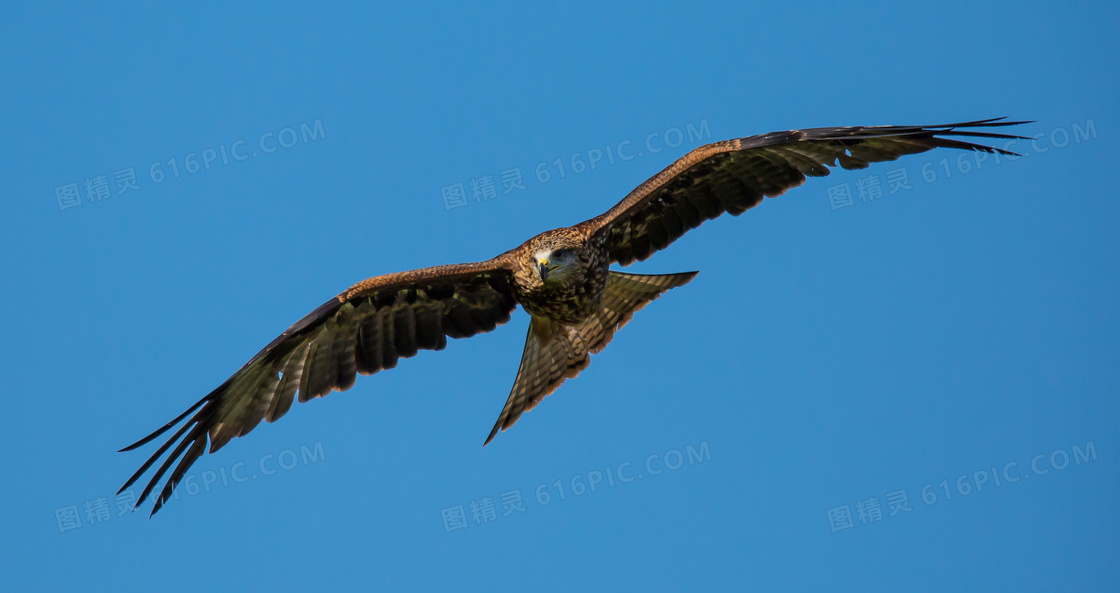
{"x":561,"y":277}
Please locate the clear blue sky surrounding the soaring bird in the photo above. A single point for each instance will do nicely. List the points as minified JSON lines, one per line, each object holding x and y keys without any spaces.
{"x":825,"y":359}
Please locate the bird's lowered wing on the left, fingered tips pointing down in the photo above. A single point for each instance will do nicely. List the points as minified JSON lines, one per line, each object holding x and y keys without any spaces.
{"x":363,"y":330}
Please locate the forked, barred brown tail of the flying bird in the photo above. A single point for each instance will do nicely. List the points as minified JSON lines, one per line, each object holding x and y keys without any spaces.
{"x":556,"y":353}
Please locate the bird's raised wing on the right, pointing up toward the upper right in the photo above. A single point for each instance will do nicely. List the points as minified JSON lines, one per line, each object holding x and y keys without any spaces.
{"x":734,"y":175}
